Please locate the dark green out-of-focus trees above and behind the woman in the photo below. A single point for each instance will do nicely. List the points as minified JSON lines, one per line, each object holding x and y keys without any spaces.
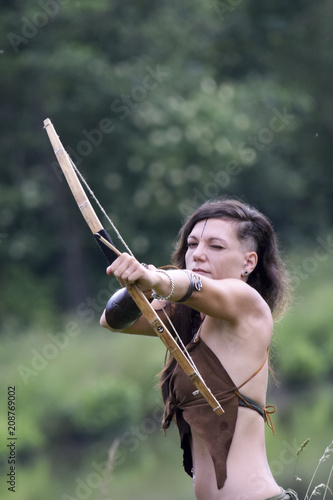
{"x":161,"y":106}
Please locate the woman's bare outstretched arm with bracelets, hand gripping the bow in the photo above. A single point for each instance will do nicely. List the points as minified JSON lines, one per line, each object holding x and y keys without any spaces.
{"x":227,"y":299}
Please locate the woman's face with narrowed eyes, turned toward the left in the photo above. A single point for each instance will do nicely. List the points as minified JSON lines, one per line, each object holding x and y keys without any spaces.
{"x":215,"y":251}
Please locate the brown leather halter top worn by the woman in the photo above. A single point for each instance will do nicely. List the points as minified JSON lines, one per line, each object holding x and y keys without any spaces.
{"x":193,"y":412}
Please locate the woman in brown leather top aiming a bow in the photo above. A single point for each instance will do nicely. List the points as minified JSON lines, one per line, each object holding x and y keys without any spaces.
{"x":228,"y":282}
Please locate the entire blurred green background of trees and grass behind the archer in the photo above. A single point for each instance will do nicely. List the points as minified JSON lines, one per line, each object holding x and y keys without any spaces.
{"x":161,"y":105}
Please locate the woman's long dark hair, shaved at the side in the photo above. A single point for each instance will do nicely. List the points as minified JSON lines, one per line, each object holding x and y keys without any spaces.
{"x":269,"y":277}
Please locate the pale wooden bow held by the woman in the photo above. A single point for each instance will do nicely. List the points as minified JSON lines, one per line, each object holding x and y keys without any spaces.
{"x":111,"y":253}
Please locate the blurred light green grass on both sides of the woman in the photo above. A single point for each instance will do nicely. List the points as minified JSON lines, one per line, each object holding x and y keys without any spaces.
{"x":100,"y":387}
